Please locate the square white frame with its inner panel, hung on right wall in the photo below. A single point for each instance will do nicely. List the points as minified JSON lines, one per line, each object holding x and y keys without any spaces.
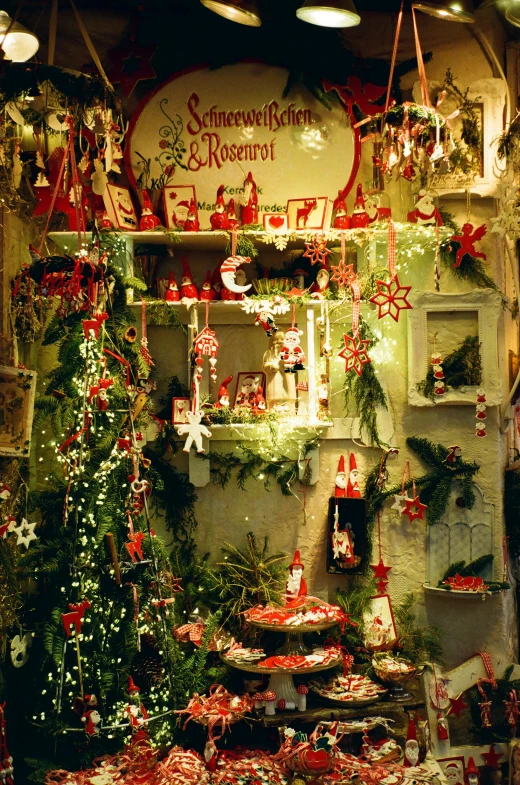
{"x":444,"y":324}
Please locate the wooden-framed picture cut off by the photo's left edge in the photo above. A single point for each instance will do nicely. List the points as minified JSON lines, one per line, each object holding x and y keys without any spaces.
{"x":17,"y":389}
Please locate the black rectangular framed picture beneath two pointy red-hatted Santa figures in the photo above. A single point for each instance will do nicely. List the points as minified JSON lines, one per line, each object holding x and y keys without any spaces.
{"x":347,"y":536}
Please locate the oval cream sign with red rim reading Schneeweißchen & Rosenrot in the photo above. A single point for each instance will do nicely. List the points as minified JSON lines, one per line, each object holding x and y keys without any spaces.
{"x":209,"y":128}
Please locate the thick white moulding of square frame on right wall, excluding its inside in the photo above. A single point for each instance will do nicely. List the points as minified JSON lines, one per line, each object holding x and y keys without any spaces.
{"x":486,"y":303}
